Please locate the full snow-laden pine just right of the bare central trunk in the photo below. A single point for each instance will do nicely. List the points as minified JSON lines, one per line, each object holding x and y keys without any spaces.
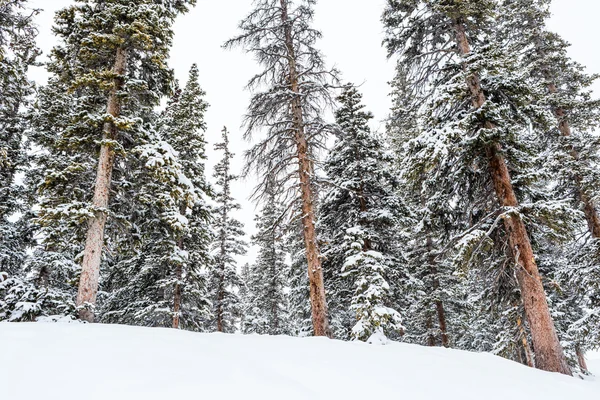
{"x":359,"y":216}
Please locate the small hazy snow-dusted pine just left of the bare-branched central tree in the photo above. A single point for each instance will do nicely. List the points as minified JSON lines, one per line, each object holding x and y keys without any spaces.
{"x":268,"y":309}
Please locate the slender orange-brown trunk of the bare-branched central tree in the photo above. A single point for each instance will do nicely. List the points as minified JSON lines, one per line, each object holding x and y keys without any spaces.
{"x":305,"y":169}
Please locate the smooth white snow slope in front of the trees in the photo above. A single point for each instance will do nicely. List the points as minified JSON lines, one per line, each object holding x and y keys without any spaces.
{"x":93,"y":362}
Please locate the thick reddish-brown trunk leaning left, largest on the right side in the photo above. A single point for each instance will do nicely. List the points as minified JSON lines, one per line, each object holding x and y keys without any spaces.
{"x":549,"y":355}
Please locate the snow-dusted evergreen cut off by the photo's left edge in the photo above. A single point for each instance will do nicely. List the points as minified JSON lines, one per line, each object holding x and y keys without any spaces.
{"x":21,"y":297}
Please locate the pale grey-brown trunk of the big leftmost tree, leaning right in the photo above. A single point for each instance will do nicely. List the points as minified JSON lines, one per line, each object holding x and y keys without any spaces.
{"x":92,"y":256}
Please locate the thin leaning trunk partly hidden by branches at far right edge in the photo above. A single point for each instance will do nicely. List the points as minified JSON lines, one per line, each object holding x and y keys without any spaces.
{"x":589,"y":208}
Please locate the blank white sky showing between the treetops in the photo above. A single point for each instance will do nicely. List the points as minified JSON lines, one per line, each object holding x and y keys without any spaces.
{"x":352,"y":42}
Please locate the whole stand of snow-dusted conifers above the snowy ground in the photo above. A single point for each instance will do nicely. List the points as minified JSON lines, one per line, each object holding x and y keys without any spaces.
{"x":469,"y":222}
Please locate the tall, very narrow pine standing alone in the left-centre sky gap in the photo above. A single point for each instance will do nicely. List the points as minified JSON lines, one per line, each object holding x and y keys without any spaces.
{"x":228,"y":244}
